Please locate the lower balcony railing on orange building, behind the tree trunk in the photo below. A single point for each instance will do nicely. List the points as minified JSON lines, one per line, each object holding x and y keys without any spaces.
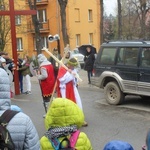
{"x":44,"y":27}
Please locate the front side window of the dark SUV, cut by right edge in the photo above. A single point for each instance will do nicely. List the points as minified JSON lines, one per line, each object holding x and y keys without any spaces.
{"x":145,"y":57}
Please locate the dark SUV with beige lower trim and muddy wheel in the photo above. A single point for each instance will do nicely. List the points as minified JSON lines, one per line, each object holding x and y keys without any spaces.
{"x":123,"y":68}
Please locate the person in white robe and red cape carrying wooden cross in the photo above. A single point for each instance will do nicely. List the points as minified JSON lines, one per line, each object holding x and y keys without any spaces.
{"x":67,"y":83}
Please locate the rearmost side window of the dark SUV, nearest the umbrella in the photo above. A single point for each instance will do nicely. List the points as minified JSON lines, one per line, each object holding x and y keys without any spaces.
{"x":108,"y":56}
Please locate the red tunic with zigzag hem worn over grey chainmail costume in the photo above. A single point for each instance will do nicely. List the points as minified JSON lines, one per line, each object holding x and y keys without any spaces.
{"x":47,"y":85}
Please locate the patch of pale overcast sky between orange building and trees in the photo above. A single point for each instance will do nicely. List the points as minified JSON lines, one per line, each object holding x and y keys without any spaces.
{"x":110,"y":6}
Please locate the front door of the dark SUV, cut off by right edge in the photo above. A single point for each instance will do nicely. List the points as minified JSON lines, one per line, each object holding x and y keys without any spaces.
{"x":144,"y":72}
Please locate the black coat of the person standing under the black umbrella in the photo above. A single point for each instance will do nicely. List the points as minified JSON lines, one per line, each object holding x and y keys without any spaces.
{"x":89,"y":61}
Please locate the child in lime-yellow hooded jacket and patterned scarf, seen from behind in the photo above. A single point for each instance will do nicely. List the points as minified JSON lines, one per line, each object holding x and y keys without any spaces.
{"x":63,"y":118}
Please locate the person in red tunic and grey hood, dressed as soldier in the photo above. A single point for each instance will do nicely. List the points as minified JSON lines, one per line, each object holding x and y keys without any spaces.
{"x":47,"y":79}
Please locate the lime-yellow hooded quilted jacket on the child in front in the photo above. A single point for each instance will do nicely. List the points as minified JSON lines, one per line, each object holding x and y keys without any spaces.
{"x":63,"y":112}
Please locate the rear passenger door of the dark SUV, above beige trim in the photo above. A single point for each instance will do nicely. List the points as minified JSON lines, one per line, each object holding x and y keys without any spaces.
{"x":127,"y":68}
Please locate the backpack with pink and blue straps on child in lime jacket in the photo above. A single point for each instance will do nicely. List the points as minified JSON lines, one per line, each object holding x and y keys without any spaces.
{"x":70,"y":142}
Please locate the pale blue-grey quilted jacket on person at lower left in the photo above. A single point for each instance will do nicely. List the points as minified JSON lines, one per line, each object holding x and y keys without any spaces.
{"x":20,"y":127}
